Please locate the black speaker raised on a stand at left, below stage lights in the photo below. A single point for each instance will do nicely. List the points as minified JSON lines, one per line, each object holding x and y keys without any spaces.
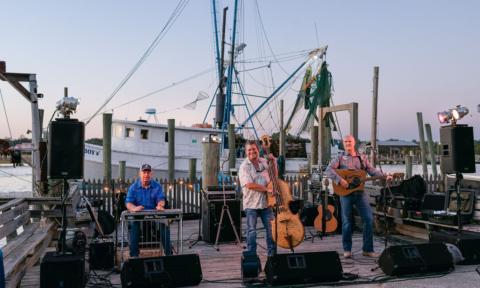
{"x":66,"y":149}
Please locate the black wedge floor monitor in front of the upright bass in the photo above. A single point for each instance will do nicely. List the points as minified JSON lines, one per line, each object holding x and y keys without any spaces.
{"x":299,"y":268}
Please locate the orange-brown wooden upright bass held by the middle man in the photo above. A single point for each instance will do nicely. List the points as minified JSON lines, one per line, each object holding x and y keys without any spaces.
{"x":287,"y":228}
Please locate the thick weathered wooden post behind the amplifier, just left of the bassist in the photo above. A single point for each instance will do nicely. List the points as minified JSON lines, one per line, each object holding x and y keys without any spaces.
{"x":210,"y":161}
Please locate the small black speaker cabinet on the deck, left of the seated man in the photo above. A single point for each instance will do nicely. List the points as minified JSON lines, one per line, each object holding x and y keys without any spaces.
{"x":101,"y":254}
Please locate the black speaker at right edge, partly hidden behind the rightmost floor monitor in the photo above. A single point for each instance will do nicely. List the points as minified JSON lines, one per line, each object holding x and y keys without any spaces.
{"x":468,"y":243}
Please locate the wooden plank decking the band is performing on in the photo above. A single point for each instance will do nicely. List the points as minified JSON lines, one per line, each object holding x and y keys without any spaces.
{"x":222,"y":268}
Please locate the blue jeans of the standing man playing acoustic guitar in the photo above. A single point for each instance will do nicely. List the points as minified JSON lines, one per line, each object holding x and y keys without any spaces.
{"x":360,"y":200}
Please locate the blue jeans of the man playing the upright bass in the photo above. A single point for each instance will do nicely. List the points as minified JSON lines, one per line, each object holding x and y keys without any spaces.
{"x":266,"y":215}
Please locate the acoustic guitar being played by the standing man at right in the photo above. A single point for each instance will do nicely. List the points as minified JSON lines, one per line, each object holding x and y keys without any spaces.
{"x":356,"y":180}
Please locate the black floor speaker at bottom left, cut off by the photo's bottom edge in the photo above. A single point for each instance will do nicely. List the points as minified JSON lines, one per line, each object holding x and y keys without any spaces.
{"x":58,"y":270}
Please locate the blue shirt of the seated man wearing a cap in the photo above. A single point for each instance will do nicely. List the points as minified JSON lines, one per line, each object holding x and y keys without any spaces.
{"x":146,"y":197}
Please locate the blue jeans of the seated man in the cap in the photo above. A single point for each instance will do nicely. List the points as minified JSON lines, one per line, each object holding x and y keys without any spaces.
{"x":157,"y":229}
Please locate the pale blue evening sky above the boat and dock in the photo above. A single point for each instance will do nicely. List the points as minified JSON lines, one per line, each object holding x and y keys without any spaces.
{"x":427,"y":52}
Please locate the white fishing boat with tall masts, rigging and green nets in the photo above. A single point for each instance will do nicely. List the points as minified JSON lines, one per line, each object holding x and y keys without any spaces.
{"x":138,"y":142}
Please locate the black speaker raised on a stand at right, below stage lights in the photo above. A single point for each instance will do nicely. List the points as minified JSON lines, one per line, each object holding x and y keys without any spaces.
{"x":457,"y":149}
